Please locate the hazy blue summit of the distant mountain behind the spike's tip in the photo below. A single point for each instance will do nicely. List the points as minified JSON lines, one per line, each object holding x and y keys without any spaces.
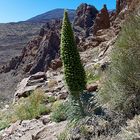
{"x":53,"y":14}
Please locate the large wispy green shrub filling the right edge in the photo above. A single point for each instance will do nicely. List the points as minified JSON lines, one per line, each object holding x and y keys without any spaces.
{"x":121,"y":86}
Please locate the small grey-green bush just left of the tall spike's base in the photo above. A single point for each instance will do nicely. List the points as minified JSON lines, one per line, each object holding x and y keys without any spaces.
{"x":59,"y":111}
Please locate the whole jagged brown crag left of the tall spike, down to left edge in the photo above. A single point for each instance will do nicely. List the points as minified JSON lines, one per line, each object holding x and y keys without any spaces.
{"x":39,"y":52}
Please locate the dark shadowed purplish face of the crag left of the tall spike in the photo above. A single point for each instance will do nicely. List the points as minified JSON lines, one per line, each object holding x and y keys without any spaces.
{"x":47,"y":52}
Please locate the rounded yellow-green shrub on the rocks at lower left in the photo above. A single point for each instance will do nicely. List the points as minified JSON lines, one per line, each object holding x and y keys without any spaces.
{"x":31,"y":107}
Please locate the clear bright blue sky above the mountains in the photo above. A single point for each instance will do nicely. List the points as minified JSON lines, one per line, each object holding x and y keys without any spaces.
{"x":20,"y":10}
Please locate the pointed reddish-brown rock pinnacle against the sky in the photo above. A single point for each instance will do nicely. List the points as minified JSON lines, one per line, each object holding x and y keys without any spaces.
{"x":102,"y":20}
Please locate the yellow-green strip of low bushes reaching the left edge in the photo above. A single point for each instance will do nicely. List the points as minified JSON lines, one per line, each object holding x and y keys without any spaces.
{"x":26,"y":108}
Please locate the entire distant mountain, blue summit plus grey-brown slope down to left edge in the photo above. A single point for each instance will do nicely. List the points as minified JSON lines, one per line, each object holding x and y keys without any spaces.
{"x":15,"y":35}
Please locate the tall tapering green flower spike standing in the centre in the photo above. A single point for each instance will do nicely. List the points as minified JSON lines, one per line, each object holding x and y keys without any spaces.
{"x":73,"y":69}
